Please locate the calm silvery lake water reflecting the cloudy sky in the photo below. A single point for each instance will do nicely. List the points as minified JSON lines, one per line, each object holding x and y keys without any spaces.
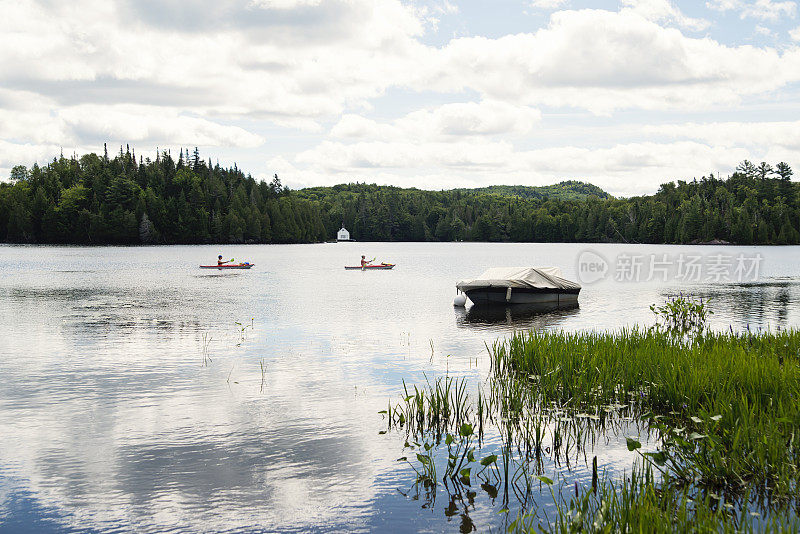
{"x":130,"y":398}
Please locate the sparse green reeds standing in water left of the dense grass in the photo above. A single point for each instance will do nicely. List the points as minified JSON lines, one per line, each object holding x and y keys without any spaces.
{"x":442,"y":414}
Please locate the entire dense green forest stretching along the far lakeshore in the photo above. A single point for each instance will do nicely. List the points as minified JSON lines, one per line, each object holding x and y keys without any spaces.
{"x":121,"y":200}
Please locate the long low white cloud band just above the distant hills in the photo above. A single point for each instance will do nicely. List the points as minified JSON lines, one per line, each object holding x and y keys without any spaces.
{"x":622,"y":169}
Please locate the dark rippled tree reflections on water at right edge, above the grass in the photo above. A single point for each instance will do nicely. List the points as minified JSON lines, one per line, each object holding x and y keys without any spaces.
{"x":766,"y":304}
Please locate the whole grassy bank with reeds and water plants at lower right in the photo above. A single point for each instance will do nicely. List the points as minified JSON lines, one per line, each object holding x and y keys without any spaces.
{"x":721,"y":409}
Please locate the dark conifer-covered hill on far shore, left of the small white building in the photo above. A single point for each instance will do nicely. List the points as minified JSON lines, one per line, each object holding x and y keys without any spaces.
{"x":100,"y":200}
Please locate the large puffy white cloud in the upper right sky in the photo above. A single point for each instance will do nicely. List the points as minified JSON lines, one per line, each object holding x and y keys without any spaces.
{"x":602,"y":61}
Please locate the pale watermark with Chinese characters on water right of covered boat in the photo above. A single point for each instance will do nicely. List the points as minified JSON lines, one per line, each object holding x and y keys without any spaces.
{"x":683,"y":267}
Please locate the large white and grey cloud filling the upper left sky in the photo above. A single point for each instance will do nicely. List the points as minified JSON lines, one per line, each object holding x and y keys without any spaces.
{"x":310,"y":61}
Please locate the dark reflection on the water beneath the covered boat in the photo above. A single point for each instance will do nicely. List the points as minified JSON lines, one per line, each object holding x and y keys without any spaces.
{"x":544,"y":315}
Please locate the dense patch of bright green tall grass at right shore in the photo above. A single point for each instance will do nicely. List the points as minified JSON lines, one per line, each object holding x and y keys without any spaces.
{"x":727,"y":404}
